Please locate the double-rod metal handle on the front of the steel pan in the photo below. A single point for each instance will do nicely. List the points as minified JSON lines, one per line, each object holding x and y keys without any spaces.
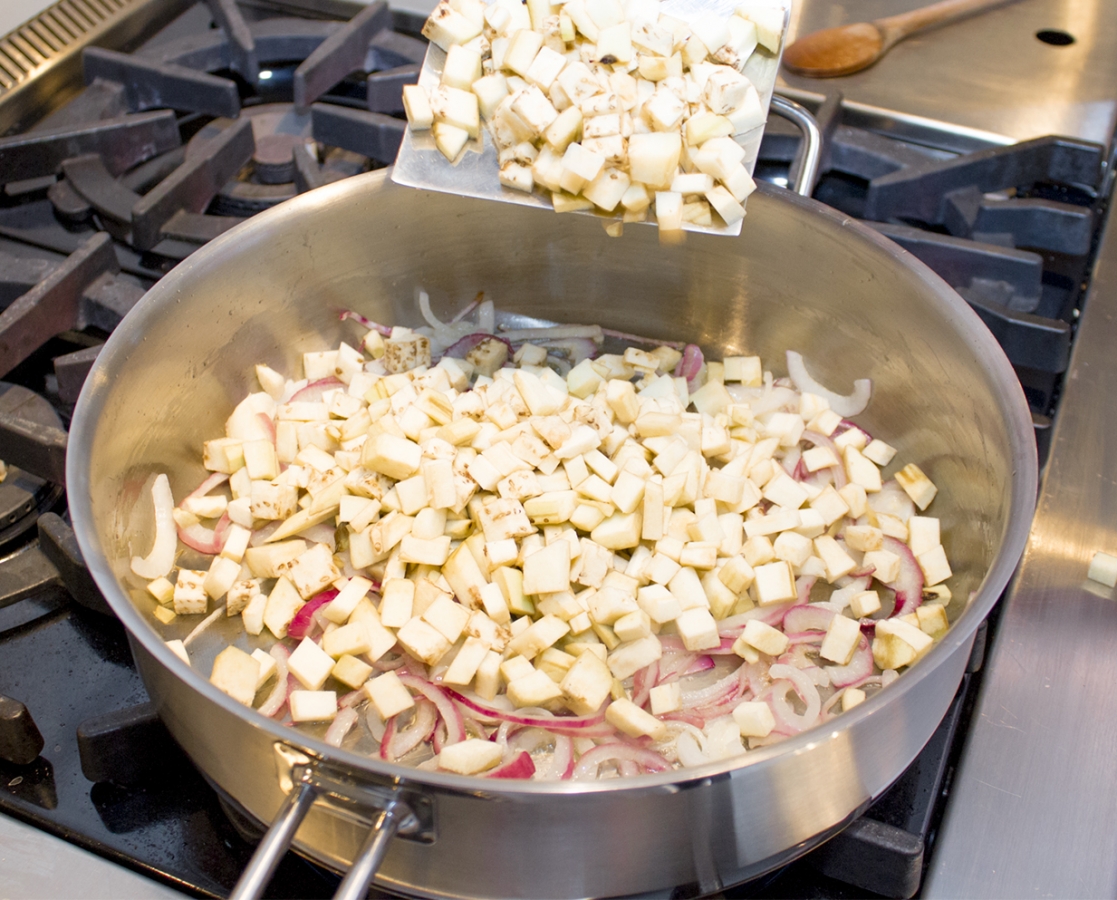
{"x":308,"y":780}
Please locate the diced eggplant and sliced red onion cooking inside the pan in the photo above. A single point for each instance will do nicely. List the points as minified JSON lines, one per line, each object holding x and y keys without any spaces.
{"x":523,"y":558}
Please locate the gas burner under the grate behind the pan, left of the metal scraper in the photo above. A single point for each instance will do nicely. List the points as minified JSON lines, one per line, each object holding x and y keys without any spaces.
{"x":283,"y":137}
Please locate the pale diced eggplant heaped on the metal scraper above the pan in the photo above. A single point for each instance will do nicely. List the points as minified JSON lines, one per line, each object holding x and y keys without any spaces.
{"x":605,"y":106}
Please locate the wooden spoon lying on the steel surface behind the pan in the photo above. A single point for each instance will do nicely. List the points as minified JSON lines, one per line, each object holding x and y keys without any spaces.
{"x":854,"y":47}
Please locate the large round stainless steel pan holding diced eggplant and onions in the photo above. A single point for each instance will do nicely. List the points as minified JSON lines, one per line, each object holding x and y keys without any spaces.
{"x":801,"y":276}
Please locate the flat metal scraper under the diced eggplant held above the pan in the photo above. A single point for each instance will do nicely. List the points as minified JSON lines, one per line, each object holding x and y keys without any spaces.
{"x":475,"y":174}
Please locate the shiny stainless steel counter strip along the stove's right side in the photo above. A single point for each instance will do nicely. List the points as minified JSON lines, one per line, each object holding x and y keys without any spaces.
{"x":1034,"y":809}
